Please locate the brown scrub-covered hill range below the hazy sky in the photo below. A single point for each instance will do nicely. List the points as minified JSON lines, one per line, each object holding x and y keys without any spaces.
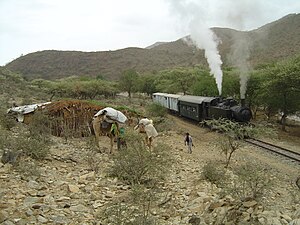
{"x":271,"y":42}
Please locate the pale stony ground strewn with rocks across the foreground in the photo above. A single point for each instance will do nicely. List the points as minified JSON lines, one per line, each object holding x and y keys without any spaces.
{"x":71,"y":186}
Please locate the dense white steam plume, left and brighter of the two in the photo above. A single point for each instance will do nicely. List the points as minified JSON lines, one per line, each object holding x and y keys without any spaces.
{"x":193,"y":17}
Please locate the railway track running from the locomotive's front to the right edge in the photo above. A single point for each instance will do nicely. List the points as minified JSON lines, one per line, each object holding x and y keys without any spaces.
{"x":295,"y":156}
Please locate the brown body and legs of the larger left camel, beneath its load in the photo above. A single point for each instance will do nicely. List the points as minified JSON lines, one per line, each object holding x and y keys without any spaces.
{"x":101,"y":128}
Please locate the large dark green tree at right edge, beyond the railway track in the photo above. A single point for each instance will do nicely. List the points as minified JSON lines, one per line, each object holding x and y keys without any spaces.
{"x":281,"y":90}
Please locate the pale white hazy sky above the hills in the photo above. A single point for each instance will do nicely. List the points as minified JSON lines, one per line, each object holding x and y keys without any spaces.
{"x":99,"y":25}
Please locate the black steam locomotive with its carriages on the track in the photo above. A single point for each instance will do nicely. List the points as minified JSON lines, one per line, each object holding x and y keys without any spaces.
{"x":201,"y":108}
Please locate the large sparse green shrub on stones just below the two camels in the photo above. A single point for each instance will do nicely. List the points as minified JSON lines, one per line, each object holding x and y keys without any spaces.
{"x":137,"y":164}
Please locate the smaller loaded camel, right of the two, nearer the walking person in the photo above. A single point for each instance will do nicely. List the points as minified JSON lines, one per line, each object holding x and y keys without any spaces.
{"x":146,"y":127}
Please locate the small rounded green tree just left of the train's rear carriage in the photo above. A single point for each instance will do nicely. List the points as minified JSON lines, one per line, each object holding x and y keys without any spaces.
{"x":128,"y":81}
